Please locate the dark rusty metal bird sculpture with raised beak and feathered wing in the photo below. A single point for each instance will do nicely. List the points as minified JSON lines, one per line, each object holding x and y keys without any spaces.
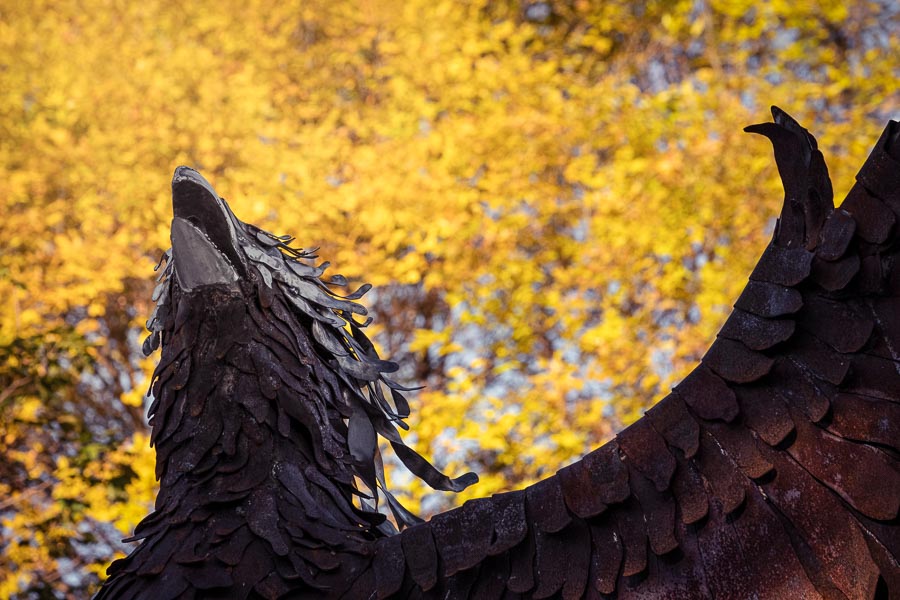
{"x":771,"y":471}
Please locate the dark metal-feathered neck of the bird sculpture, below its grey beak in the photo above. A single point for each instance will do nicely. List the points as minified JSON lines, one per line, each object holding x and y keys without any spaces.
{"x":246,"y":443}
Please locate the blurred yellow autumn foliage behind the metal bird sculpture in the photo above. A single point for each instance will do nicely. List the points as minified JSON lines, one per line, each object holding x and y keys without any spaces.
{"x":554,"y":200}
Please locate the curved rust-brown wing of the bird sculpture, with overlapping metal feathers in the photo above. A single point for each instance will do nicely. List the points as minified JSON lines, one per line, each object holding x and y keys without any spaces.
{"x":771,"y":471}
